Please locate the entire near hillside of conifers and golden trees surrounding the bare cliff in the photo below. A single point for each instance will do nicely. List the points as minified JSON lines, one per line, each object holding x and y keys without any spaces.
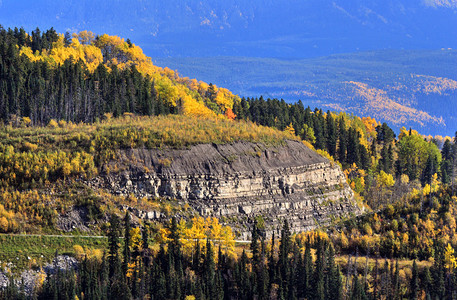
{"x":69,"y":105}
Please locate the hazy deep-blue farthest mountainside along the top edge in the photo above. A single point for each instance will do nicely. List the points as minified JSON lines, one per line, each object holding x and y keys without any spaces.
{"x":284,"y":28}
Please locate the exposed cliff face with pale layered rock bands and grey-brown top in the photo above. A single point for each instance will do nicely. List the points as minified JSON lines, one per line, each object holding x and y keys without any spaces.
{"x":236,"y":182}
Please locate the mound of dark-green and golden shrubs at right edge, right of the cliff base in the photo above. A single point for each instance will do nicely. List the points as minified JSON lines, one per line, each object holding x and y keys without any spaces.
{"x":407,"y":228}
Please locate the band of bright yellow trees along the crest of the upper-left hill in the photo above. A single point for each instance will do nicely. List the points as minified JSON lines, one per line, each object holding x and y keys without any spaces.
{"x":190,"y":96}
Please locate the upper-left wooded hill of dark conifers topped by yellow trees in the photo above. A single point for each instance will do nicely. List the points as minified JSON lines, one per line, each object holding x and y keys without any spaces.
{"x":79,"y":78}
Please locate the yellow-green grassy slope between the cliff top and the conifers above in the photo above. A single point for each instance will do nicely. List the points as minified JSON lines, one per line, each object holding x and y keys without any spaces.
{"x":175,"y":131}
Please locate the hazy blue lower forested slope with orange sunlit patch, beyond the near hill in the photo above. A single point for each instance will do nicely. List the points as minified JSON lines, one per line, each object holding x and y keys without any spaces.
{"x":404,"y":88}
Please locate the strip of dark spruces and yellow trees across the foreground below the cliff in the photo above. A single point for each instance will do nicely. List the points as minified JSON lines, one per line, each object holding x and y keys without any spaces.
{"x":288,"y":267}
